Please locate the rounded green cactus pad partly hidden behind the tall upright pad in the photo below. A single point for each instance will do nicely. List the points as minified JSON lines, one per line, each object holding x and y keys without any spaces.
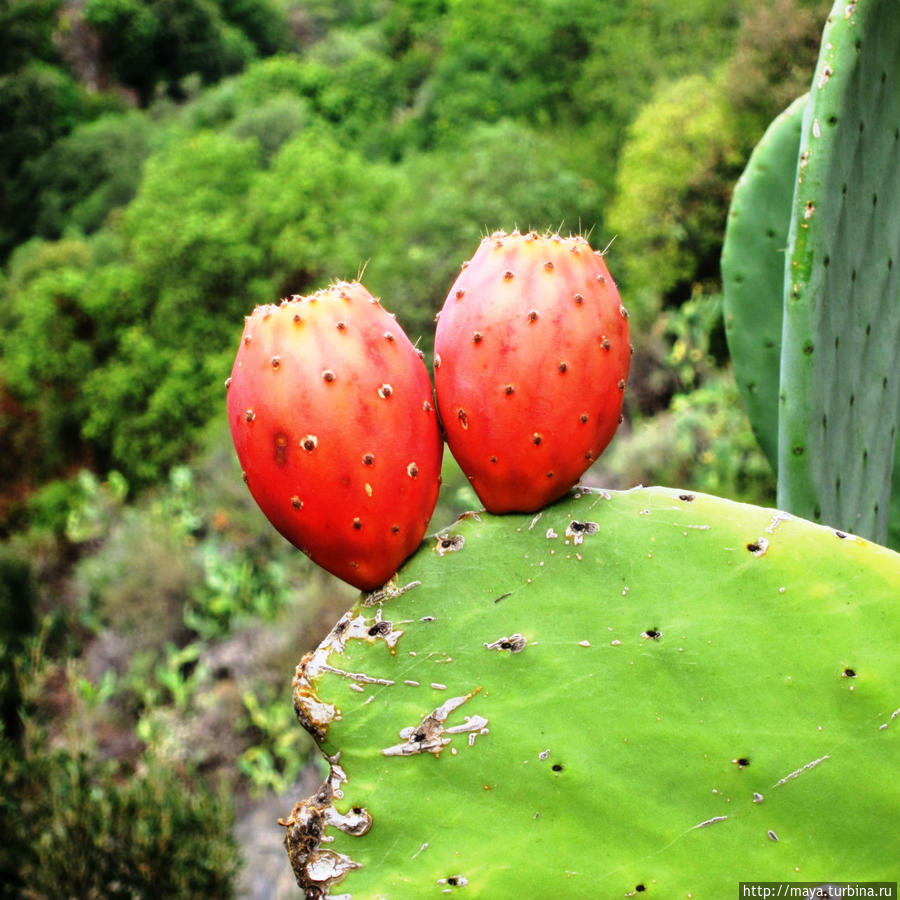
{"x":753,"y":271}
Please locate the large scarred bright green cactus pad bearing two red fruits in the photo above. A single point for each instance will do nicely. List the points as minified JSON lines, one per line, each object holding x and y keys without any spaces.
{"x":647,"y":692}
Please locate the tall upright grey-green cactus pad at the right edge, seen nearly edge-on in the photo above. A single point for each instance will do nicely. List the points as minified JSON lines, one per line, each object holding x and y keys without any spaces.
{"x":840,"y":385}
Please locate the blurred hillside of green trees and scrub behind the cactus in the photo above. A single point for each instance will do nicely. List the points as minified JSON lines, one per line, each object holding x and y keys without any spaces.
{"x":164,"y":166}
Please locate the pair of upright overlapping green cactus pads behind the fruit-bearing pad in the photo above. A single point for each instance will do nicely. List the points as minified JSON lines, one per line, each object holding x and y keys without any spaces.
{"x":837,"y":305}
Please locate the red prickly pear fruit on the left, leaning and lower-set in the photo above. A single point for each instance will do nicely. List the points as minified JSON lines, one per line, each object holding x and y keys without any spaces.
{"x":331,"y":412}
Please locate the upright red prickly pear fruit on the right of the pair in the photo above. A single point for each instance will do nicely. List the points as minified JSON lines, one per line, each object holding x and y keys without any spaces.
{"x":531,"y":359}
